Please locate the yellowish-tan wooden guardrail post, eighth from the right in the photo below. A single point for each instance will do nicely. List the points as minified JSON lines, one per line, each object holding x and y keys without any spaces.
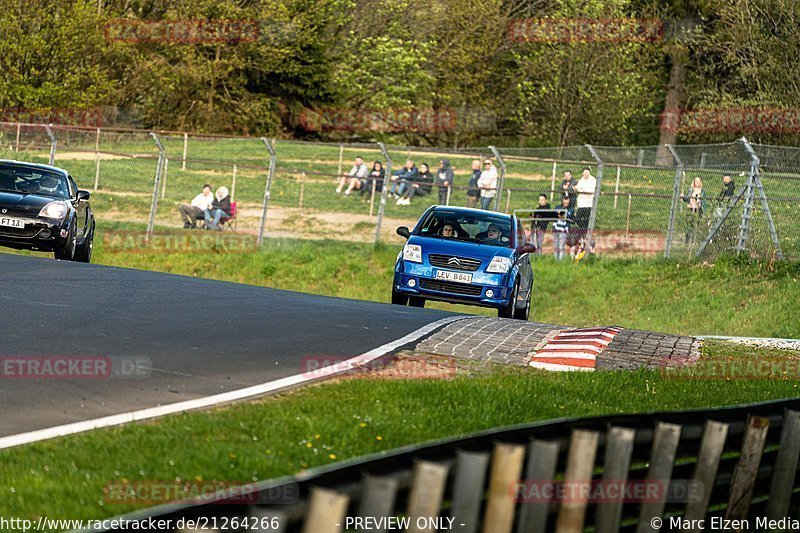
{"x":507,"y":461}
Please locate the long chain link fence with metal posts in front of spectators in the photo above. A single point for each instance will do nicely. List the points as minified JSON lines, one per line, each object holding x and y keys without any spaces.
{"x":672,"y":201}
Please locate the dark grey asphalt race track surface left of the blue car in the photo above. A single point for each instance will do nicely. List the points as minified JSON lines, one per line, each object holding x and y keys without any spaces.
{"x":202,"y":337}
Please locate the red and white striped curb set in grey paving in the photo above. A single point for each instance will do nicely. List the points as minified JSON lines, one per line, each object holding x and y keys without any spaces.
{"x":575,"y":349}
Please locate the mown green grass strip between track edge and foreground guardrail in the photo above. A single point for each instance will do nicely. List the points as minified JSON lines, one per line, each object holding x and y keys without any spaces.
{"x":65,"y":477}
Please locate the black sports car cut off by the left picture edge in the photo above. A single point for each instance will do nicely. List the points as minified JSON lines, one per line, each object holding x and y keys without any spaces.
{"x":41,"y":208}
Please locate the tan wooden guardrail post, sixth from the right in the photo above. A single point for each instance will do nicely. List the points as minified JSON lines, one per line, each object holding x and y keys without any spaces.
{"x":580,"y":463}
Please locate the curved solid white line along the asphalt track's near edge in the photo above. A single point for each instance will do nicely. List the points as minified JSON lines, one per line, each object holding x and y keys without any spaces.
{"x":217,"y":399}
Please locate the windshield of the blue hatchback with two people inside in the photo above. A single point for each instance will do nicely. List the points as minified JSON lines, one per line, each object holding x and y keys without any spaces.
{"x":485,"y":228}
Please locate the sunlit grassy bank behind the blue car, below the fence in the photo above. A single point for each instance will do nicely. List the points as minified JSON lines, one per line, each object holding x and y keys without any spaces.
{"x":729,"y":298}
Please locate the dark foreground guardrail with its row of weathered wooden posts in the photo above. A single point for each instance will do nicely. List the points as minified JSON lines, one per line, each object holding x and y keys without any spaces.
{"x":727,"y":463}
